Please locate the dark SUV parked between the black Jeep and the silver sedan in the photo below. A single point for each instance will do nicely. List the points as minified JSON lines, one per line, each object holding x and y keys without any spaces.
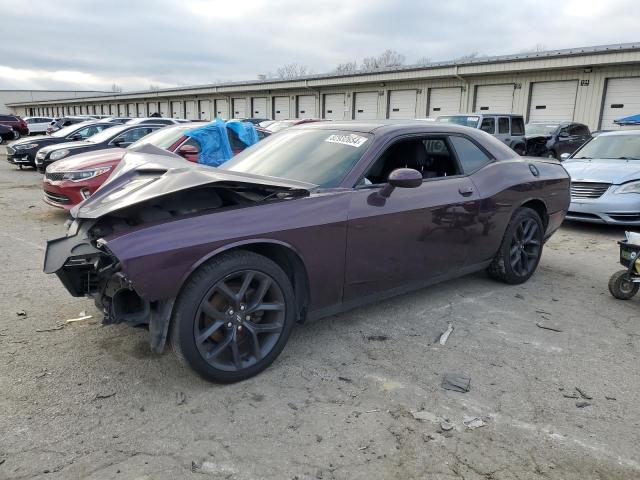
{"x":564,"y":137}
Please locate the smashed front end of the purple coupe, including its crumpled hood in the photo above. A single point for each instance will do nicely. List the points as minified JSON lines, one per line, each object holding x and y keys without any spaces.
{"x":148,"y":188}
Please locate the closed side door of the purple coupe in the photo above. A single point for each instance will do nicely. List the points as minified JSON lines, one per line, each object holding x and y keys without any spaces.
{"x":417,"y":234}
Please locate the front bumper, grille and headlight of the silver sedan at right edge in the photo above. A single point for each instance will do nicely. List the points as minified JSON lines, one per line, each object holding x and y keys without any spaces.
{"x":611,"y":208}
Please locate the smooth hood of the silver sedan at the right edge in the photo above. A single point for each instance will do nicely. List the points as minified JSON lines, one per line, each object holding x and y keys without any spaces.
{"x":606,"y":171}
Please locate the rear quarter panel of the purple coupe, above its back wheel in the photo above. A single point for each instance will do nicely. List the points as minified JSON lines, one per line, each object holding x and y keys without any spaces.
{"x":506,"y":185}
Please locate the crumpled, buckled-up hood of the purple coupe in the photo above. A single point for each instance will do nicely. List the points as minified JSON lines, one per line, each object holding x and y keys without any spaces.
{"x":150,"y":172}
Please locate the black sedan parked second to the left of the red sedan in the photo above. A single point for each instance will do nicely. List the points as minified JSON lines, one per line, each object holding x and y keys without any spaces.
{"x":23,"y":152}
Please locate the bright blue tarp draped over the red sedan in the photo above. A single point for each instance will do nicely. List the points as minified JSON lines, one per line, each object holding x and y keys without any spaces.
{"x":213,"y":138}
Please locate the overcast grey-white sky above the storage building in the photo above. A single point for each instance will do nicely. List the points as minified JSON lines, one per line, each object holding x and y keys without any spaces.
{"x":89,"y":44}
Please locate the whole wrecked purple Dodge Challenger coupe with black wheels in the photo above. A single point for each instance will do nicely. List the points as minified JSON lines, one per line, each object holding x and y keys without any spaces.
{"x":309,"y":222}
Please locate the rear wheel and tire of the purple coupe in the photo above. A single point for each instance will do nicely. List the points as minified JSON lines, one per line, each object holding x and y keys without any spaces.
{"x":520,"y":250}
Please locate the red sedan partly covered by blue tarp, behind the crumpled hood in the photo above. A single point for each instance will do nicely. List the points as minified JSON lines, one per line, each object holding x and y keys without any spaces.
{"x":68,"y":182}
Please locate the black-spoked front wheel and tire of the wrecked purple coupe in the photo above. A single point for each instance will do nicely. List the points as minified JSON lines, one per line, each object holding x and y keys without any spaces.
{"x":233,"y":317}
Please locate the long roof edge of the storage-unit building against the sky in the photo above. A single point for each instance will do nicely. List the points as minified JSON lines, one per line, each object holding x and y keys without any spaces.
{"x":561,"y":53}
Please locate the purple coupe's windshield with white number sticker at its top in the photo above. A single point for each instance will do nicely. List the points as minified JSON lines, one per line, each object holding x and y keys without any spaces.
{"x":321,"y":157}
